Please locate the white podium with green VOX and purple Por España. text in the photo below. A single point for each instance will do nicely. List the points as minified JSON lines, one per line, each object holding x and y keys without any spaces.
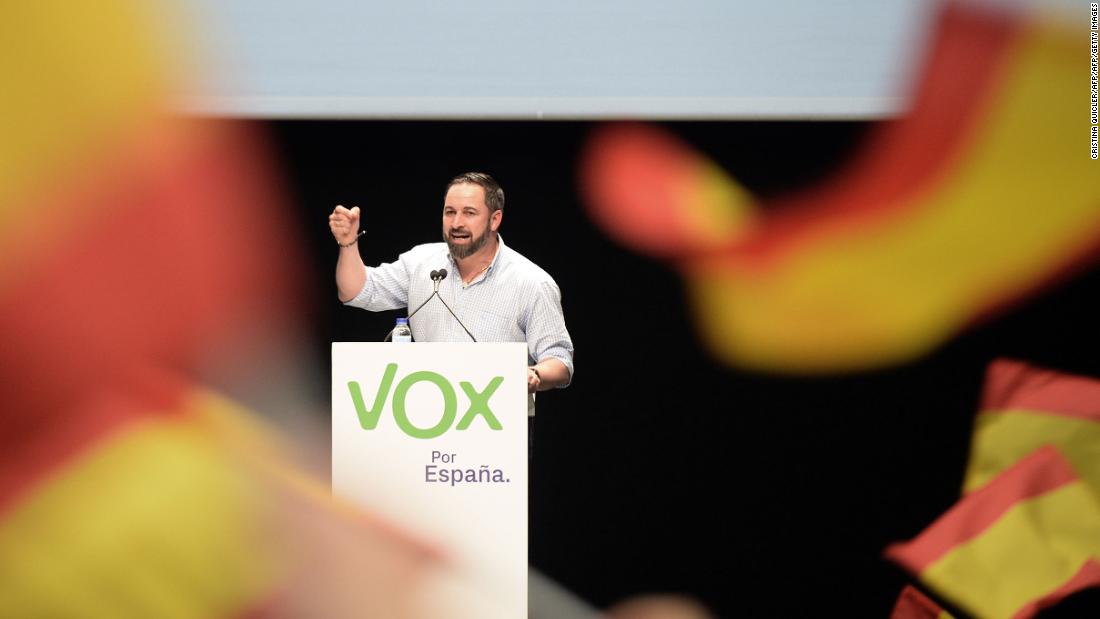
{"x":433,"y":437}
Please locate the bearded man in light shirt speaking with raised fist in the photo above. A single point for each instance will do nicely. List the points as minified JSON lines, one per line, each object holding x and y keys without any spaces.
{"x":497,"y":295}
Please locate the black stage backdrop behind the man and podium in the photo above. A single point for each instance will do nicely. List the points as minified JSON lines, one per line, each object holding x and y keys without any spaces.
{"x":662,"y":470}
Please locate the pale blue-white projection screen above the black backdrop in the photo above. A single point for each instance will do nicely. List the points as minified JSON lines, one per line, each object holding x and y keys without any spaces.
{"x":556,"y":60}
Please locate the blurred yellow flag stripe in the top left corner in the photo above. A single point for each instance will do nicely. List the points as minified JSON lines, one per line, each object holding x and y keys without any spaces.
{"x":79,"y":78}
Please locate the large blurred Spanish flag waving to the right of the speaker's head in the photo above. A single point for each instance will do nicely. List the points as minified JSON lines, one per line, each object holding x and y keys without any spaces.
{"x":983,"y":193}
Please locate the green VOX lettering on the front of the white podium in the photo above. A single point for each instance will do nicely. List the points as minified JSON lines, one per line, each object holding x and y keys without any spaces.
{"x":479,"y":403}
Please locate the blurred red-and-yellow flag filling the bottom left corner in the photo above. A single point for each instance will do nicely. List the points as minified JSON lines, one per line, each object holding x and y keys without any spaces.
{"x":136,"y":510}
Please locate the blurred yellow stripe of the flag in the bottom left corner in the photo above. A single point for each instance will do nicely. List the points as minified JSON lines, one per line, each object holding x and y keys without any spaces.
{"x":160,"y":522}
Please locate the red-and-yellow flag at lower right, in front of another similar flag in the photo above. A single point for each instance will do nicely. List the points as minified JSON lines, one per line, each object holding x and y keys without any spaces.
{"x":1025,"y":541}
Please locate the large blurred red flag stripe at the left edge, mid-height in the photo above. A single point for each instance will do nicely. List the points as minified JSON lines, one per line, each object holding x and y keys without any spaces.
{"x":186,"y":246}
